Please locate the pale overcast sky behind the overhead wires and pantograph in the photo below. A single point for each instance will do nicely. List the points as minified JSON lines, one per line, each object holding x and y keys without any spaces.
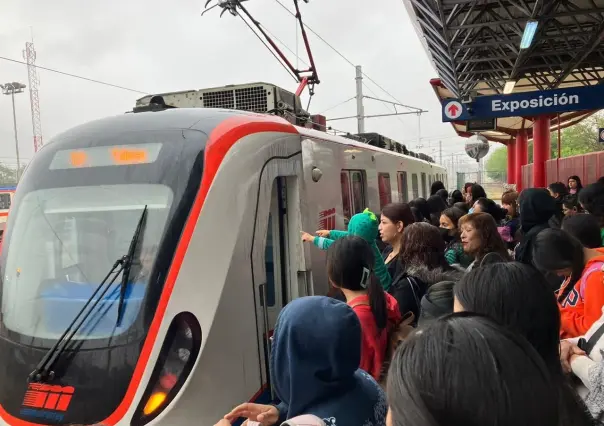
{"x":157,"y":46}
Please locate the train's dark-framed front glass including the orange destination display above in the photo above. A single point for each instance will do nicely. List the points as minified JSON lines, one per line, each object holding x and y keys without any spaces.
{"x":75,"y":214}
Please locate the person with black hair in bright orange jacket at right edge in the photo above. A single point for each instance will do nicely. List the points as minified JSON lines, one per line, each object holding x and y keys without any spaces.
{"x":581,"y":296}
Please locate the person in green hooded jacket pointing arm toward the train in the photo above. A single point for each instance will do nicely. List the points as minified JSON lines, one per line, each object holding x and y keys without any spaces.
{"x":364,"y":225}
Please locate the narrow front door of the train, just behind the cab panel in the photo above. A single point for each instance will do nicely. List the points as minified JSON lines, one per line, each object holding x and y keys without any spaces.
{"x":282,"y":256}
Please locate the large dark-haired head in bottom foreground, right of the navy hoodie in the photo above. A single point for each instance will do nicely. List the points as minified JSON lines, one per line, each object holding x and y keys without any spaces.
{"x":468,"y":370}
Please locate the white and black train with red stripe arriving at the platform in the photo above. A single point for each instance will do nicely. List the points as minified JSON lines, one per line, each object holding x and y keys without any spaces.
{"x":147,"y":257}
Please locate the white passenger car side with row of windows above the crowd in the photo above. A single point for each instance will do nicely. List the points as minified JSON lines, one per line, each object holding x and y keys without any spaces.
{"x":336,"y":160}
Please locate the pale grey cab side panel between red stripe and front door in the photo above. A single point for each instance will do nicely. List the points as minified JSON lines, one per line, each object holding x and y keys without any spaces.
{"x":219,"y":278}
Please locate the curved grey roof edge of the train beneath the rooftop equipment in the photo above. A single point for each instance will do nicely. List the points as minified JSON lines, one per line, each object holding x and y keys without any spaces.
{"x":200,"y":119}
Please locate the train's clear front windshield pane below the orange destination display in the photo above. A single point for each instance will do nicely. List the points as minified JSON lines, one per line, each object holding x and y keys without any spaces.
{"x":65,"y":241}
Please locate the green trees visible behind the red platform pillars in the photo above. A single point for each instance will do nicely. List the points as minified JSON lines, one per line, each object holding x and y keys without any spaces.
{"x":578,"y":139}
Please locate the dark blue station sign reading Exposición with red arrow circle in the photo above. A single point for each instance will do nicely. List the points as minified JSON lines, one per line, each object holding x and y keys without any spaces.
{"x":528,"y":104}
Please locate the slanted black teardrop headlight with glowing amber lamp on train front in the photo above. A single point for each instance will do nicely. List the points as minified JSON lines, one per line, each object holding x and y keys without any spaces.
{"x":176,"y":358}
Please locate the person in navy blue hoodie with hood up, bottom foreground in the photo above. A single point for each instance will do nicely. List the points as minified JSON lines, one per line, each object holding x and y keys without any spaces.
{"x":315,"y":369}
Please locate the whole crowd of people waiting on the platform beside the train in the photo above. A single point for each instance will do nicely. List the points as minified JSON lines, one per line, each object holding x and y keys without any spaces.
{"x":451,"y":310}
